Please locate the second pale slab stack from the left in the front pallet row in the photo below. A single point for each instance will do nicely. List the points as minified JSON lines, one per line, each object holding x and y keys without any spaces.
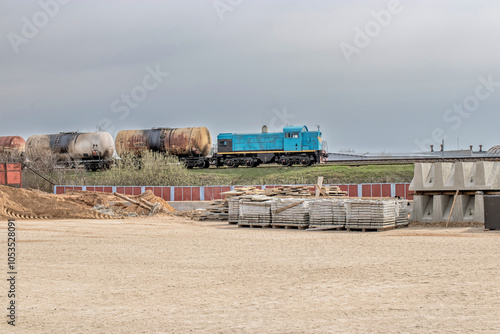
{"x":290,"y":212}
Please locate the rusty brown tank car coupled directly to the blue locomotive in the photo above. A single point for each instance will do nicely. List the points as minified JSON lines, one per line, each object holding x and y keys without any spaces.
{"x":191,"y":145}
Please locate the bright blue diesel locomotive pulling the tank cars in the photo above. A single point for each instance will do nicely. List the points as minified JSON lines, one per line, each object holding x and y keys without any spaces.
{"x":295,"y":145}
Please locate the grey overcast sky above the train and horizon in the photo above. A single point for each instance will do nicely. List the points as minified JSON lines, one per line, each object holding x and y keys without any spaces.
{"x":376,"y":76}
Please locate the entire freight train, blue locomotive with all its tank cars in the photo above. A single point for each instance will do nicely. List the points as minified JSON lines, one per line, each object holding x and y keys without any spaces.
{"x":94,"y":150}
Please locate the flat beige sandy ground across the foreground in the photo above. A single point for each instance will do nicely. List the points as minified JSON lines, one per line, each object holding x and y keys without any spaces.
{"x":170,"y":275}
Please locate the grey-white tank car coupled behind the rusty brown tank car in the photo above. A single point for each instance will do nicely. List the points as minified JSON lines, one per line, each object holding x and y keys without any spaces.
{"x":92,"y":149}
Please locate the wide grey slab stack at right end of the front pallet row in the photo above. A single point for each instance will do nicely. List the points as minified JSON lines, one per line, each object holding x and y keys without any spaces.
{"x":371,"y":214}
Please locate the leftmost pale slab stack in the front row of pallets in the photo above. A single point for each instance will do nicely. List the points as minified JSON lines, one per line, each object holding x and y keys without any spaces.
{"x":255,"y":211}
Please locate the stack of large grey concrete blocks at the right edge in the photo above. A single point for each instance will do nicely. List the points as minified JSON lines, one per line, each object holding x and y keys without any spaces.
{"x":436,"y":184}
